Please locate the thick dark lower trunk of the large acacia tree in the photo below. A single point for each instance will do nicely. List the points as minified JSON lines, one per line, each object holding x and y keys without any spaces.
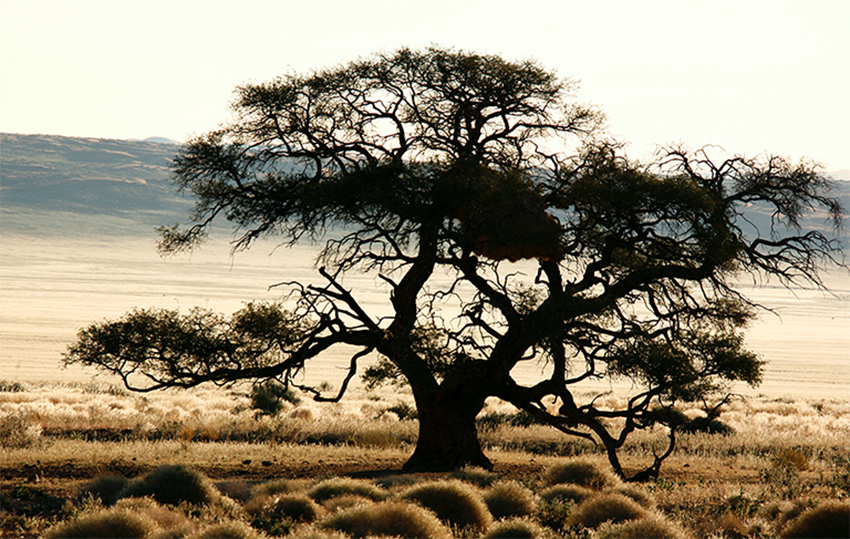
{"x":448,"y":436}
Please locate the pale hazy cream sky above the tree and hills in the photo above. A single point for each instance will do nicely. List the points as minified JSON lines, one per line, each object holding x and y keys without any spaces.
{"x":750,"y":76}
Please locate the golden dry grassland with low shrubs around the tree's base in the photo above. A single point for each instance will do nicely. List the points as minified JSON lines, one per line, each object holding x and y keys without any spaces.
{"x":780,"y":459}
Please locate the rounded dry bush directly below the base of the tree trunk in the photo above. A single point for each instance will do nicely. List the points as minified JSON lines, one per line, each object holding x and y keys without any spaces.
{"x":454,"y":502}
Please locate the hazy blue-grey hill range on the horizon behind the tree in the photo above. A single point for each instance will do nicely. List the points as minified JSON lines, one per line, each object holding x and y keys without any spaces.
{"x":62,"y":185}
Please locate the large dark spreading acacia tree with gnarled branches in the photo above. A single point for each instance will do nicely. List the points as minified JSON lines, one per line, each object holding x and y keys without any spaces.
{"x":557,"y":249}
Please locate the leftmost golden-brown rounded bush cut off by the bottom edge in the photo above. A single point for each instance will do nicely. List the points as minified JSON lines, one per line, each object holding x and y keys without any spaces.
{"x":107,"y":523}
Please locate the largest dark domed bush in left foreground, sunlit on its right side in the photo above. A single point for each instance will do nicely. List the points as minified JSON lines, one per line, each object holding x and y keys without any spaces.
{"x":173,"y":485}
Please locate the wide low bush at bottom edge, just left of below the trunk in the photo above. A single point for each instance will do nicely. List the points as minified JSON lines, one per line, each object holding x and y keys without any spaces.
{"x":387,"y":519}
